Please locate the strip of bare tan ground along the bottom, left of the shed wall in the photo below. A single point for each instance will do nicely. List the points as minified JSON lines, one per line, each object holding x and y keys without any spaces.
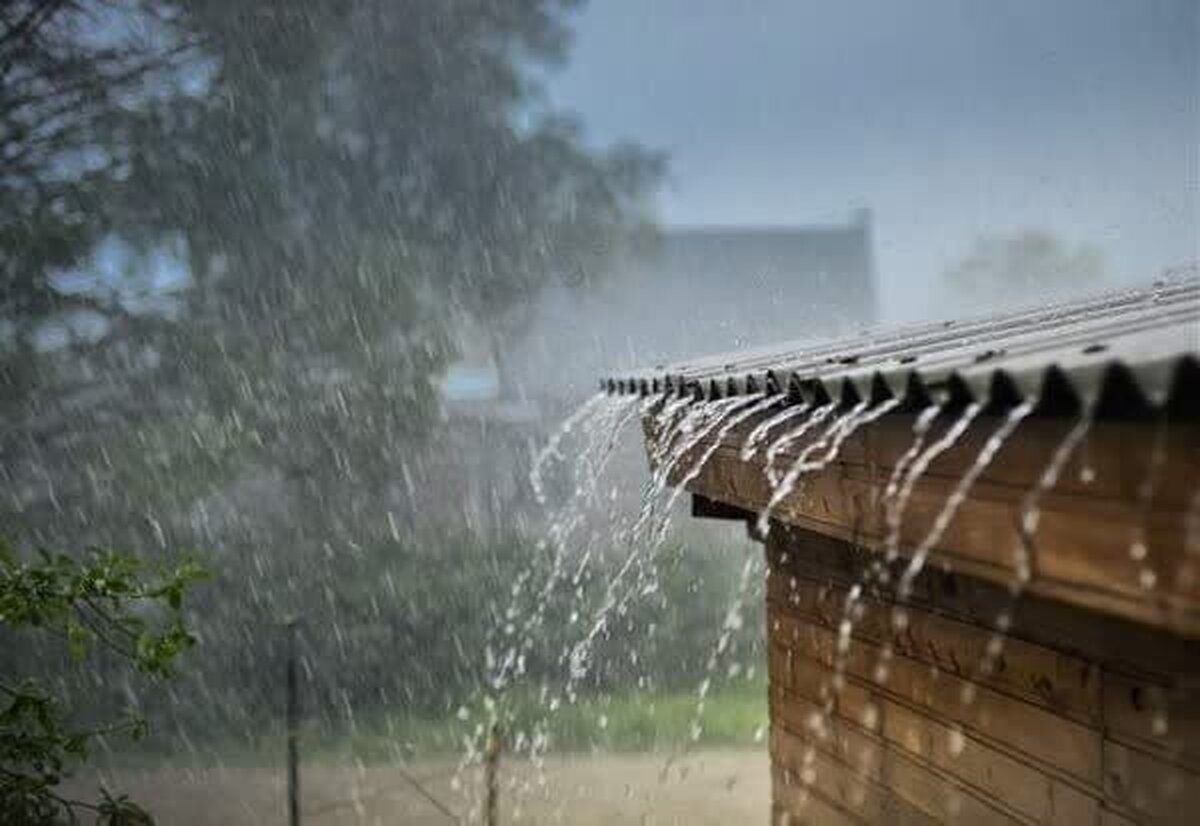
{"x":705,"y":788}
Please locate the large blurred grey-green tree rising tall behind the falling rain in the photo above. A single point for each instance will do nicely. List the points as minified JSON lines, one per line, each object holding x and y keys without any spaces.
{"x":344,"y":183}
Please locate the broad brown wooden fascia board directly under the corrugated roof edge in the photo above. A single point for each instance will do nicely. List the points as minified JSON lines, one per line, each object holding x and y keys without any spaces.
{"x":1088,"y":528}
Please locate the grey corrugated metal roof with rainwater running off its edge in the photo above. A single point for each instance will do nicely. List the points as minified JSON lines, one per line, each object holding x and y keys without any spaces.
{"x":1125,"y":354}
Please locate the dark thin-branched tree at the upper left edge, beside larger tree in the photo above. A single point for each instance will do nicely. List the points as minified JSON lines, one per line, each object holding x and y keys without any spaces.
{"x":73,"y":76}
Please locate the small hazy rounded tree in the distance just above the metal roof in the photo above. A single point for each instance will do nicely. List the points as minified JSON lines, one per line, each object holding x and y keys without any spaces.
{"x":1024,"y":268}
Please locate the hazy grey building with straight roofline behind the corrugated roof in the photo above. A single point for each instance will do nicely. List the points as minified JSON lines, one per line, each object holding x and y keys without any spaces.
{"x":704,"y":290}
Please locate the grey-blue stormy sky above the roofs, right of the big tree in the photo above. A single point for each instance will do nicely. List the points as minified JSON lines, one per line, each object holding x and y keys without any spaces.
{"x":949,"y":119}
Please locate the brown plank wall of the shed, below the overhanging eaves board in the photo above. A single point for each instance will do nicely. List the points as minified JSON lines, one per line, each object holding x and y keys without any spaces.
{"x":1085,"y":720}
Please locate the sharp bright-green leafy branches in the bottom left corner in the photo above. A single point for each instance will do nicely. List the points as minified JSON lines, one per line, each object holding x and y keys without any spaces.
{"x":104,"y":600}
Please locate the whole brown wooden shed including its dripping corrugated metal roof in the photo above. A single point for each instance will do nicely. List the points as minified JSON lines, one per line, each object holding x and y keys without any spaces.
{"x":985,"y":584}
